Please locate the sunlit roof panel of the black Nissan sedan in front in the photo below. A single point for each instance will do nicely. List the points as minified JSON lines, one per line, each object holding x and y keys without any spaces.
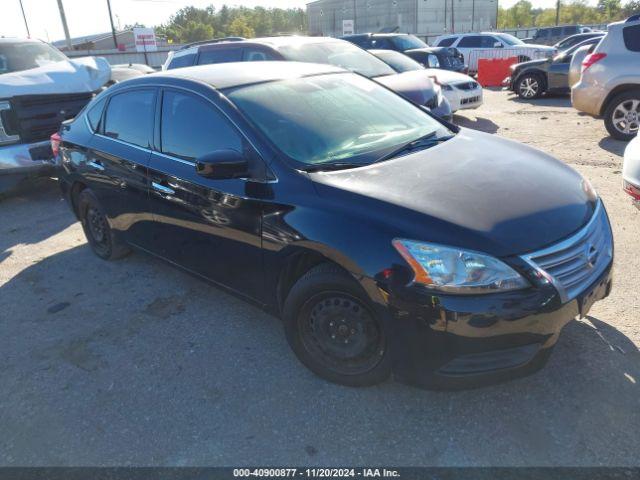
{"x":228,"y":75}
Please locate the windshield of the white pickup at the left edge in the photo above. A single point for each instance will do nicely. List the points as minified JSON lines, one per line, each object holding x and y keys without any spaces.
{"x":19,"y":56}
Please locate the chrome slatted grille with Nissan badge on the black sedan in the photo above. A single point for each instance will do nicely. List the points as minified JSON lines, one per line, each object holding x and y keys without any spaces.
{"x":574,"y":264}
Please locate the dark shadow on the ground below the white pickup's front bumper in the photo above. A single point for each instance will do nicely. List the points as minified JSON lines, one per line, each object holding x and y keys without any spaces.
{"x":19,"y":227}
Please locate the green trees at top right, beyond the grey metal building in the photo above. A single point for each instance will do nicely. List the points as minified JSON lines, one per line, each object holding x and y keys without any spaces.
{"x":572,"y":12}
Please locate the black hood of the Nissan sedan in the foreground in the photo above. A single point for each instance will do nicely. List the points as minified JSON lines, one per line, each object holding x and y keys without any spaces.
{"x":474,"y":191}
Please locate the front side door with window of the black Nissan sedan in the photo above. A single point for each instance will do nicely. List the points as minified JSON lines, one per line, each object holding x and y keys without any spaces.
{"x":210,"y":227}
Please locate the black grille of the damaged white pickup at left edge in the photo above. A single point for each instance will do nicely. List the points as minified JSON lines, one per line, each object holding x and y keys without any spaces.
{"x":36,"y":117}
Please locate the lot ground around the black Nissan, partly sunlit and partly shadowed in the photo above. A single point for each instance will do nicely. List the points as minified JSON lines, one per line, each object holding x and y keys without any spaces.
{"x":136,"y":363}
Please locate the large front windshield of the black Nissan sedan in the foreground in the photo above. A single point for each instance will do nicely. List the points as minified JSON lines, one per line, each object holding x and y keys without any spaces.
{"x":336,"y":117}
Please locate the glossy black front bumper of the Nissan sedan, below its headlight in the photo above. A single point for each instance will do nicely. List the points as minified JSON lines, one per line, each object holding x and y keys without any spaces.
{"x":453,"y":342}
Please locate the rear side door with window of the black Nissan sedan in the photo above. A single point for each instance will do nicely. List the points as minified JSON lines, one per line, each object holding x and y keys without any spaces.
{"x":118,"y":160}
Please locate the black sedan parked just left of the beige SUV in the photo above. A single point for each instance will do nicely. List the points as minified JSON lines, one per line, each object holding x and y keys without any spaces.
{"x":534,"y":78}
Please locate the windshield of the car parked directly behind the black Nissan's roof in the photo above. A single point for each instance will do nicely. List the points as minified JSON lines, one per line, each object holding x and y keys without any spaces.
{"x":342,"y":54}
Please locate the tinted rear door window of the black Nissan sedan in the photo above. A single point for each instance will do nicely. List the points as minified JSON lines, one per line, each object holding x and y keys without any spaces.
{"x":129,"y":117}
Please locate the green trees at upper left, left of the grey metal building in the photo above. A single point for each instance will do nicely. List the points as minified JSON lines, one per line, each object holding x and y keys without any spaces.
{"x":191,"y":24}
